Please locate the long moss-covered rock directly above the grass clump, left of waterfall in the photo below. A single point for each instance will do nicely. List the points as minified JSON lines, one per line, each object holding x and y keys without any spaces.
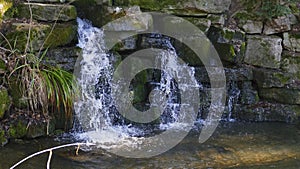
{"x":41,"y":35}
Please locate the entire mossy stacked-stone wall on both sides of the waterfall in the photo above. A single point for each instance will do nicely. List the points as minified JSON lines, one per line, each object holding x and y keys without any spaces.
{"x":260,"y":53}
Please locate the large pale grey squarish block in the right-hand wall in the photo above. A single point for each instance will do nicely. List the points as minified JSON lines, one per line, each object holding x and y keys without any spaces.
{"x":264,"y":51}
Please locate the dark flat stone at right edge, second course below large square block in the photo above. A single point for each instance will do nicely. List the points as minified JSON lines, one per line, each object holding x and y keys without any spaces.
{"x":281,"y":95}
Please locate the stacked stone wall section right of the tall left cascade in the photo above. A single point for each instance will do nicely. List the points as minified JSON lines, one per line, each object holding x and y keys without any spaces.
{"x":258,"y":48}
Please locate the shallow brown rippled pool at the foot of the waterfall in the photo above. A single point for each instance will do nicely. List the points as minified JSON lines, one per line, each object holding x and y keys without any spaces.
{"x":233,"y":145}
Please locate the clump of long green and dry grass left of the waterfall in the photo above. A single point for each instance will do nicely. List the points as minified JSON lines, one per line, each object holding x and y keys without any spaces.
{"x":46,"y":88}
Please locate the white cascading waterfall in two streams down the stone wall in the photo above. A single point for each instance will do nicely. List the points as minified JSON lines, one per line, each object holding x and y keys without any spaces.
{"x":96,"y":109}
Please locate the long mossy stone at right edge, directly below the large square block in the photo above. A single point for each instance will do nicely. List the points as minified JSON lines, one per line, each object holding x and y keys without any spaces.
{"x":266,"y":78}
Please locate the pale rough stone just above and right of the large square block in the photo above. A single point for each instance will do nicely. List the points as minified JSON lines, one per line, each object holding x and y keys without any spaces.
{"x":278,"y":25}
